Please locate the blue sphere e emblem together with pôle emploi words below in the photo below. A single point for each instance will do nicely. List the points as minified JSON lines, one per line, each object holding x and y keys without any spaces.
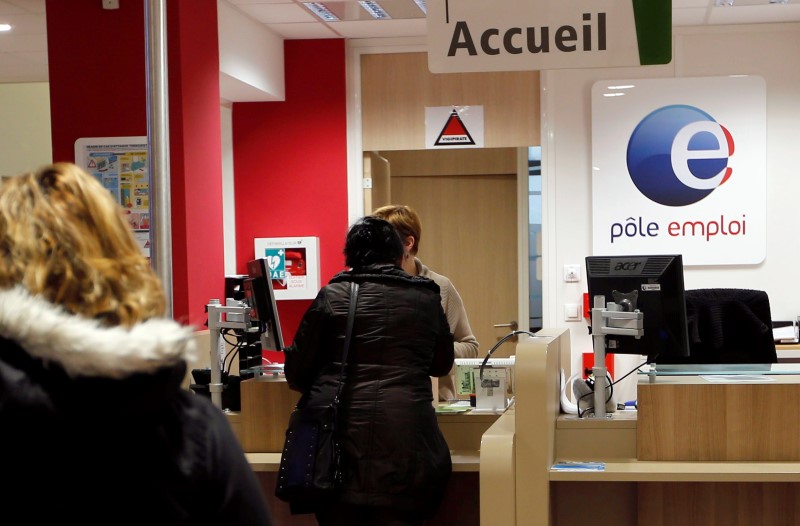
{"x":677,"y":155}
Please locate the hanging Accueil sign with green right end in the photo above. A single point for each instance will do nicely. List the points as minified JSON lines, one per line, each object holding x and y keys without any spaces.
{"x":519,"y":35}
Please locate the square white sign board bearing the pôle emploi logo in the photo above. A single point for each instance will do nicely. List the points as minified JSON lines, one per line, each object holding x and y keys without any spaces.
{"x":679,"y":167}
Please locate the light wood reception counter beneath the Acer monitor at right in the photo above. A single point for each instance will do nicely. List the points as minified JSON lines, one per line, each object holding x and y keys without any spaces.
{"x":703,"y":449}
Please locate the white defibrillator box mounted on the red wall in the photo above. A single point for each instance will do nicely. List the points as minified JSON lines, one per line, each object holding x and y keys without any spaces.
{"x":293,"y":264}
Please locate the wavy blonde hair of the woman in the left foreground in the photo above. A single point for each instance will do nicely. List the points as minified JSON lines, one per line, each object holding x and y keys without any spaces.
{"x":62,"y":236}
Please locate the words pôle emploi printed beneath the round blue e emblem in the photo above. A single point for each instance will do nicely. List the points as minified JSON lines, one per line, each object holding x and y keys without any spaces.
{"x":638,"y":227}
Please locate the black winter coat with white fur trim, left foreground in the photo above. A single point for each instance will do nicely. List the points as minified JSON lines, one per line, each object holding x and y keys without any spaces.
{"x":96,"y":429}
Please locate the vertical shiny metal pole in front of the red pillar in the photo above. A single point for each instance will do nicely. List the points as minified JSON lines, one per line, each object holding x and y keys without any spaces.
{"x":158,"y":144}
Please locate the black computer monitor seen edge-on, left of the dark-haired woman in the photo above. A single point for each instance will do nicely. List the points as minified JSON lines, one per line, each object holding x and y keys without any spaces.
{"x":260,"y":296}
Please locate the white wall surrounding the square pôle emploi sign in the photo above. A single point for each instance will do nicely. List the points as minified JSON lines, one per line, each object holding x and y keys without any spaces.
{"x":768,"y":50}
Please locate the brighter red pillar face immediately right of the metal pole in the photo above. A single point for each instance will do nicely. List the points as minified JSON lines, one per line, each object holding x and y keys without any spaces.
{"x":198,"y":262}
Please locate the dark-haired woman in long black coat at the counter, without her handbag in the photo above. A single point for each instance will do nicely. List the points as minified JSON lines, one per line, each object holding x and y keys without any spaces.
{"x":396,"y":462}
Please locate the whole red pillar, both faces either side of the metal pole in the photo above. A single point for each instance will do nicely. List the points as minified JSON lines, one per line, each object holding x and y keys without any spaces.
{"x":98,"y":88}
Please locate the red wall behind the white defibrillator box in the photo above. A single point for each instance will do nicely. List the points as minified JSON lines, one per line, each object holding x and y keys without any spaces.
{"x":290,"y":163}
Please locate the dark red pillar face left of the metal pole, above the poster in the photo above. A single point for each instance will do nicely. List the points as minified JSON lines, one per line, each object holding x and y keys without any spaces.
{"x":97,"y":72}
